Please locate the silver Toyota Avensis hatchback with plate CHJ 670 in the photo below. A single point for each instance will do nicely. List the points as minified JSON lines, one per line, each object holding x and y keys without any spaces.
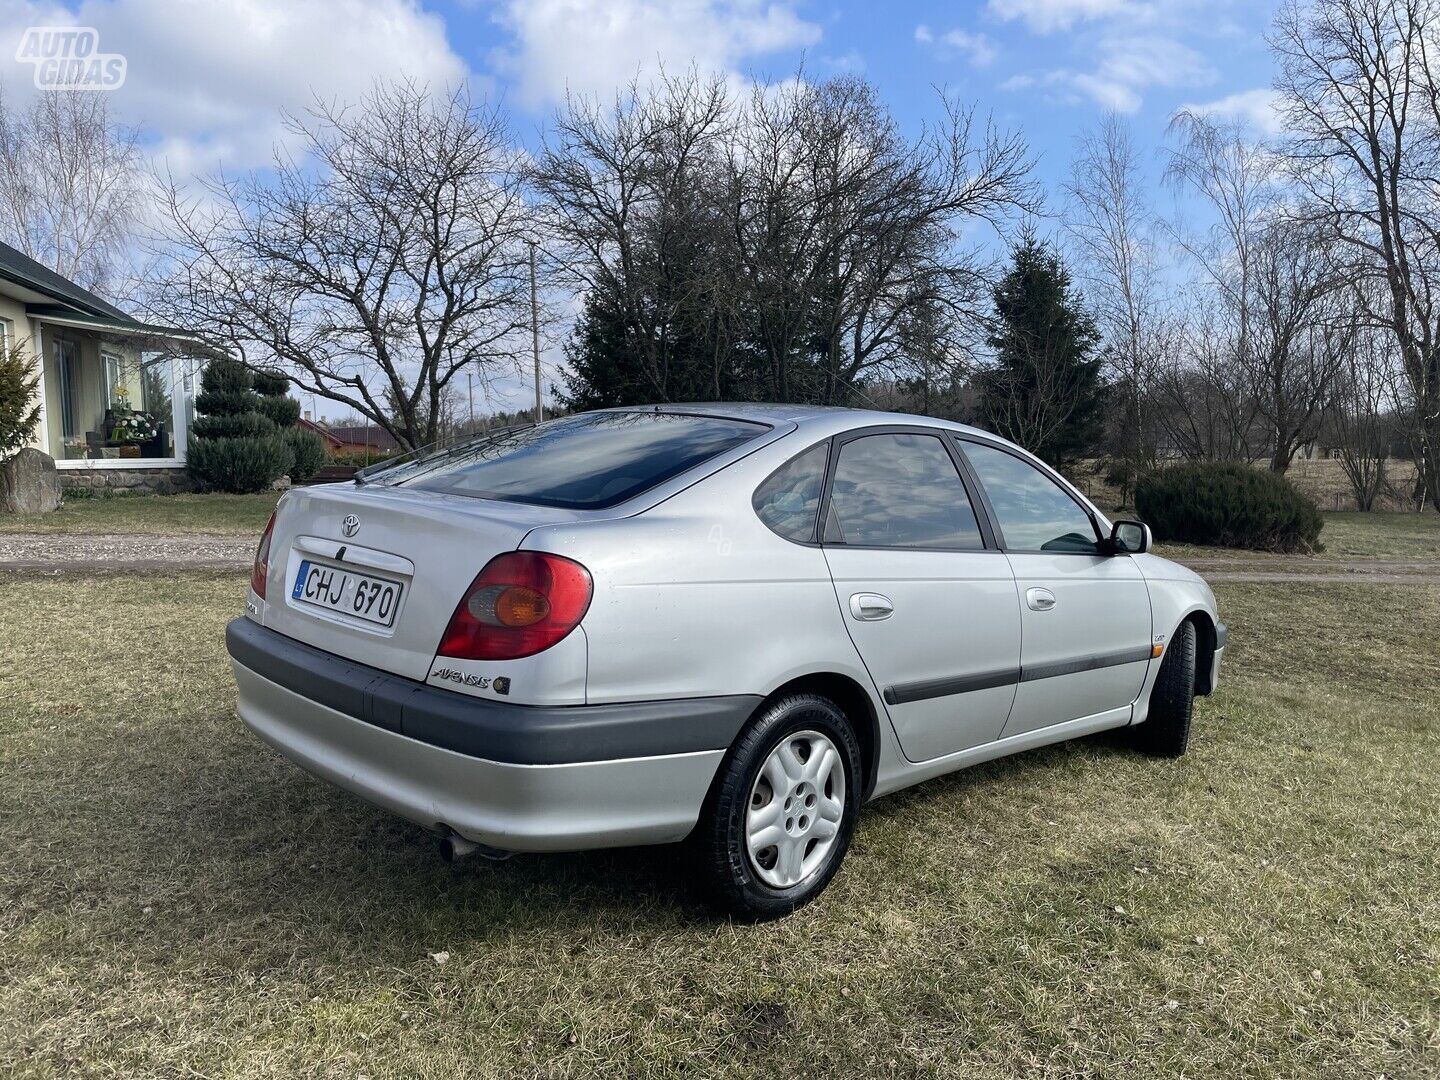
{"x":728,"y":623}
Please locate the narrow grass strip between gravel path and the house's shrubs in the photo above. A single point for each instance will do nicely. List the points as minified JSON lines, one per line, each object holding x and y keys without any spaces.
{"x":150,"y":516}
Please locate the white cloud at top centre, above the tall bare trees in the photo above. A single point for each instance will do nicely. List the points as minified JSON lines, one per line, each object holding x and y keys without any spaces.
{"x":594,"y":47}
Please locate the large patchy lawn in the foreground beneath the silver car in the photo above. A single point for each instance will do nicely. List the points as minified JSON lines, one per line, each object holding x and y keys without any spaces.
{"x":178,"y":901}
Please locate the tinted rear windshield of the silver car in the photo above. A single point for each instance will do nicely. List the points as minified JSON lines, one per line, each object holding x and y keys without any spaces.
{"x":578,"y":463}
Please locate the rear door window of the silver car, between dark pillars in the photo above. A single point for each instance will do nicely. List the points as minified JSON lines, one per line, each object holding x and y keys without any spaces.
{"x":899,"y":490}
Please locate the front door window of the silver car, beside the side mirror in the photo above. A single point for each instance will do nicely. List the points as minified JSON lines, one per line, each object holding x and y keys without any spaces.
{"x":1033,"y":512}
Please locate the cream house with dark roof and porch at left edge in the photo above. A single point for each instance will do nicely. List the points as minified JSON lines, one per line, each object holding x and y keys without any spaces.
{"x":117,"y":395}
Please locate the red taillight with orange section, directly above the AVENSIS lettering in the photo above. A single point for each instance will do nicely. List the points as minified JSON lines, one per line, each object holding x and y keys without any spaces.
{"x":523,"y":603}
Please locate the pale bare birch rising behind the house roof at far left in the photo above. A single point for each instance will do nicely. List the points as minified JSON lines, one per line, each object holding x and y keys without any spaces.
{"x":73,"y":189}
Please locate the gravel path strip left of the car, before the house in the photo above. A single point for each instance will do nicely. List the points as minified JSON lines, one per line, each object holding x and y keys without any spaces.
{"x":119,"y":552}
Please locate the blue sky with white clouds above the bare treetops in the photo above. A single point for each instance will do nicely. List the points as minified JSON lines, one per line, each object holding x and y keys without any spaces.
{"x":208,"y":78}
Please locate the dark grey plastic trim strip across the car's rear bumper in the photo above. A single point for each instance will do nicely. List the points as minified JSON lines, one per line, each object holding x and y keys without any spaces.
{"x":495,"y":731}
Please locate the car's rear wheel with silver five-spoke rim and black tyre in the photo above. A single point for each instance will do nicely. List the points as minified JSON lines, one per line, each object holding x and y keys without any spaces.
{"x":794,"y":775}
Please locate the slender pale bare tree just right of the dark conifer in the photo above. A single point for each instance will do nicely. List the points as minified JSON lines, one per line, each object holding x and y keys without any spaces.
{"x":1115,"y":234}
